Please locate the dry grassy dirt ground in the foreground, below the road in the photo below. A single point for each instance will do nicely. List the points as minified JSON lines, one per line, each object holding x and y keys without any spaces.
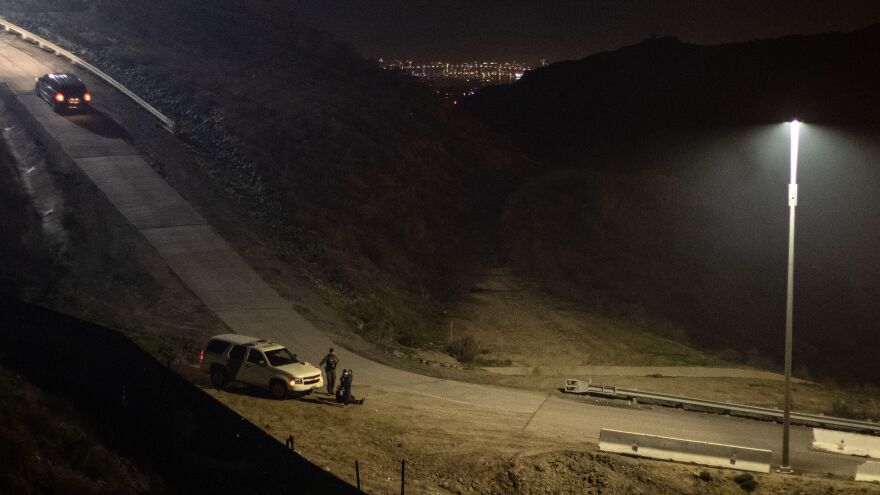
{"x":472,"y":450}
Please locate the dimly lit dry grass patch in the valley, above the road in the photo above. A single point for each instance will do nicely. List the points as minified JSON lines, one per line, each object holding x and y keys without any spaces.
{"x":517,"y":322}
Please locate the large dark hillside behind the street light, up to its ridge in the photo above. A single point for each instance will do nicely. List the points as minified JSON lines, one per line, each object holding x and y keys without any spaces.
{"x":665,"y":190}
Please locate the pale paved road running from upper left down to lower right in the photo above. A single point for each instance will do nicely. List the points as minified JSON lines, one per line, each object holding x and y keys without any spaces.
{"x":248,"y":305}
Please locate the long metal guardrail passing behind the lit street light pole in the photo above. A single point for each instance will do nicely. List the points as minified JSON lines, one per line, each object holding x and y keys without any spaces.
{"x":580,"y":387}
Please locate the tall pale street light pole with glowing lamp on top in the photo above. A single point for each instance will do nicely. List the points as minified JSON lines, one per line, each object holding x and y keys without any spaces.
{"x":789,"y":303}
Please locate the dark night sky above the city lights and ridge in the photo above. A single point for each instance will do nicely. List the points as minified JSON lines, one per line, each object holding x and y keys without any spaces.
{"x":529,"y":30}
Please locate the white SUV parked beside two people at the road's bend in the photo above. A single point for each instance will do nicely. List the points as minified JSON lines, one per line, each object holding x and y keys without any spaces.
{"x":258,"y":362}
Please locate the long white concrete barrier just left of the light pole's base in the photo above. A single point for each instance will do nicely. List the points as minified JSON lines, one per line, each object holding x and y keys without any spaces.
{"x":680,"y":450}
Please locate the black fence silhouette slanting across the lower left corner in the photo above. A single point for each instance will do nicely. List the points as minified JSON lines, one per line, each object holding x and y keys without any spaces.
{"x":143,"y":410}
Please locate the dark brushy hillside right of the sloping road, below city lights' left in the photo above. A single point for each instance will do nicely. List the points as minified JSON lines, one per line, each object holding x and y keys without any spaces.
{"x":387,"y":193}
